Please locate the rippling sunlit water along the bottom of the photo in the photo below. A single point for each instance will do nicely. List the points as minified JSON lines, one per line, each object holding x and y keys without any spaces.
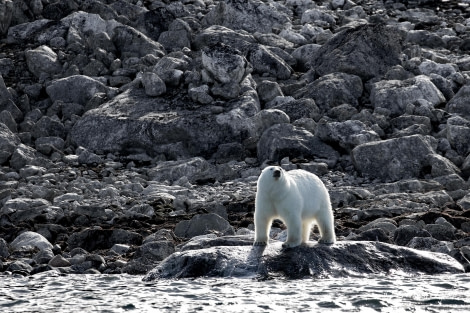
{"x":122,"y":293}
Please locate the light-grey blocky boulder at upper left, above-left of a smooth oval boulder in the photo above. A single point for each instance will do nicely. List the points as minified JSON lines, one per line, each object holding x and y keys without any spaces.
{"x":42,"y":62}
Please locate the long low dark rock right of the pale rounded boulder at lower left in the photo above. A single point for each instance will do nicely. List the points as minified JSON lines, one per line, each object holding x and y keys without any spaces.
{"x":93,"y":239}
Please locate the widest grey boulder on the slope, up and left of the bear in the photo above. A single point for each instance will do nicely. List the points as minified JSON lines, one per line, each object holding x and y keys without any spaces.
{"x":135,"y":123}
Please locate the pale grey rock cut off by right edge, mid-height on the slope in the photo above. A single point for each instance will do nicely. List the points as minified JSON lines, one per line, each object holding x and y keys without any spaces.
{"x":458,"y":132}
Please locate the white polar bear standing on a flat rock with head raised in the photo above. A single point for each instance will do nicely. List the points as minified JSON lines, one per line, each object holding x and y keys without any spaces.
{"x":298,"y":198}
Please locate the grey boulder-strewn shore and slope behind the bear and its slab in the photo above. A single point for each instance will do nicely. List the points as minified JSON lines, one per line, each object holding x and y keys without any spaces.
{"x":129,"y":127}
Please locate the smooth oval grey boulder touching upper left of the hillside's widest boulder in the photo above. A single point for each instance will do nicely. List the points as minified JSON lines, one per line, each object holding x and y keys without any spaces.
{"x":77,"y":88}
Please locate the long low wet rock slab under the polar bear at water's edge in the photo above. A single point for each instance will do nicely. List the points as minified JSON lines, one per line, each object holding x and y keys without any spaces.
{"x":236,"y":257}
